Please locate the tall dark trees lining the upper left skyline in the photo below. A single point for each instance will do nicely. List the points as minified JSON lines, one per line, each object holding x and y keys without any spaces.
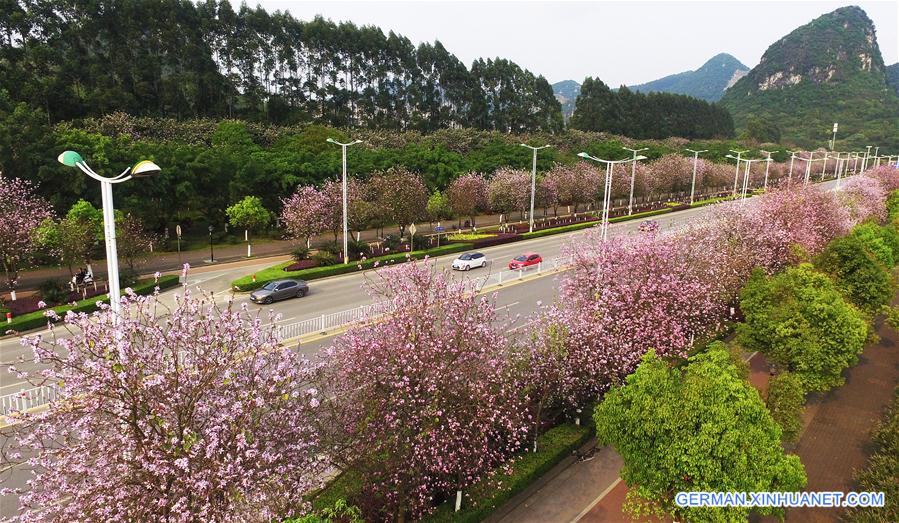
{"x":172,"y":58}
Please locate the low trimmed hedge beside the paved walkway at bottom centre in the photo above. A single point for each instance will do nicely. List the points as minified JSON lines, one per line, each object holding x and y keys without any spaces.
{"x":485,"y":497}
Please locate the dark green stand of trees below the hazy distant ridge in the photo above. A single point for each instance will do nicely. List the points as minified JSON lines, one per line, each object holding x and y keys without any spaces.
{"x":652,"y":115}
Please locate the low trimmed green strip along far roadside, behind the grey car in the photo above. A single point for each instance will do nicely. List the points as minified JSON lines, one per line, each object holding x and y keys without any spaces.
{"x":277,"y":272}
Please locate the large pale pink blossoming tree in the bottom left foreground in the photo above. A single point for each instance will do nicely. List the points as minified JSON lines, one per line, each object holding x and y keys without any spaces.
{"x":191,"y":414}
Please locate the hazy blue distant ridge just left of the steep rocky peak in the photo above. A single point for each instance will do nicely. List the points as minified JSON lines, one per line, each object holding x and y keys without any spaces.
{"x":706,"y":83}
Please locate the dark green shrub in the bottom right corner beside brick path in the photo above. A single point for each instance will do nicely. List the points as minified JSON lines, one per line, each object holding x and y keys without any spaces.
{"x":882,"y":470}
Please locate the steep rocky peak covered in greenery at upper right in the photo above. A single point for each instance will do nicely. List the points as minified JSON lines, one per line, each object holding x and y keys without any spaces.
{"x":829,"y":70}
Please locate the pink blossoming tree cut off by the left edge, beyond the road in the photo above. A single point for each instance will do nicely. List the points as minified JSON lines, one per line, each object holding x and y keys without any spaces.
{"x":22,"y":212}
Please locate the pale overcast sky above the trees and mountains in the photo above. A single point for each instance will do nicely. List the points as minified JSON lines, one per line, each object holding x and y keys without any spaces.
{"x":619,"y":42}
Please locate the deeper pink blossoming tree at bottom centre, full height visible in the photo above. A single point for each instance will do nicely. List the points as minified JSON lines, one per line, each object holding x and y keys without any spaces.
{"x":423,"y":402}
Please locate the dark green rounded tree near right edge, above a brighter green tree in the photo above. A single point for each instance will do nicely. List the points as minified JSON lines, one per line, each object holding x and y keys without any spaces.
{"x":857,"y":272}
